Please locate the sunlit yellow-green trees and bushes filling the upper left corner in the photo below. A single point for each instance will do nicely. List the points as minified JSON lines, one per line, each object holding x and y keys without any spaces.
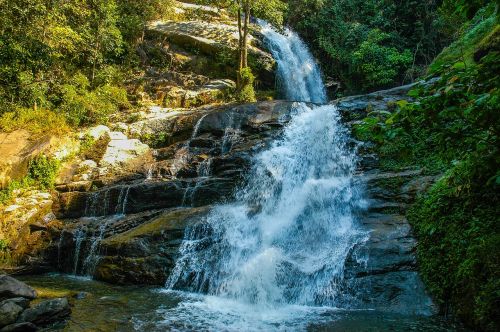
{"x":64,"y":62}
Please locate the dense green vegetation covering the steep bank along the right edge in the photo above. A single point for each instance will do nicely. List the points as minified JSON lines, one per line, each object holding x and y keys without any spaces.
{"x":452,"y":130}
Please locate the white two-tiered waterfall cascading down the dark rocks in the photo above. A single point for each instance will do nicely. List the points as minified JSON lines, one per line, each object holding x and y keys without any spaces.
{"x":285,"y":239}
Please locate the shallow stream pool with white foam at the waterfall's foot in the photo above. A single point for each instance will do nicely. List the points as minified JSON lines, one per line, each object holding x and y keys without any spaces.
{"x":105,"y":307}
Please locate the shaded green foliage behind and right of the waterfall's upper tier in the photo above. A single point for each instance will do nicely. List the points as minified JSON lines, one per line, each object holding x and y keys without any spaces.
{"x":368,"y":45}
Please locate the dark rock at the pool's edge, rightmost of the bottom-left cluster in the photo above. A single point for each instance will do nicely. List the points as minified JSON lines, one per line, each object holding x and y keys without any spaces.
{"x":46,"y":312}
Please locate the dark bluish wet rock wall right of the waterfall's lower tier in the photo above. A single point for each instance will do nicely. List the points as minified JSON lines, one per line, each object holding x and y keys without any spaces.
{"x":381,"y":272}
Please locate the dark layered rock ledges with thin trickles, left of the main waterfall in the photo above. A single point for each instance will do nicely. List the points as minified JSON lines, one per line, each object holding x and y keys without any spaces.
{"x":127,"y":227}
